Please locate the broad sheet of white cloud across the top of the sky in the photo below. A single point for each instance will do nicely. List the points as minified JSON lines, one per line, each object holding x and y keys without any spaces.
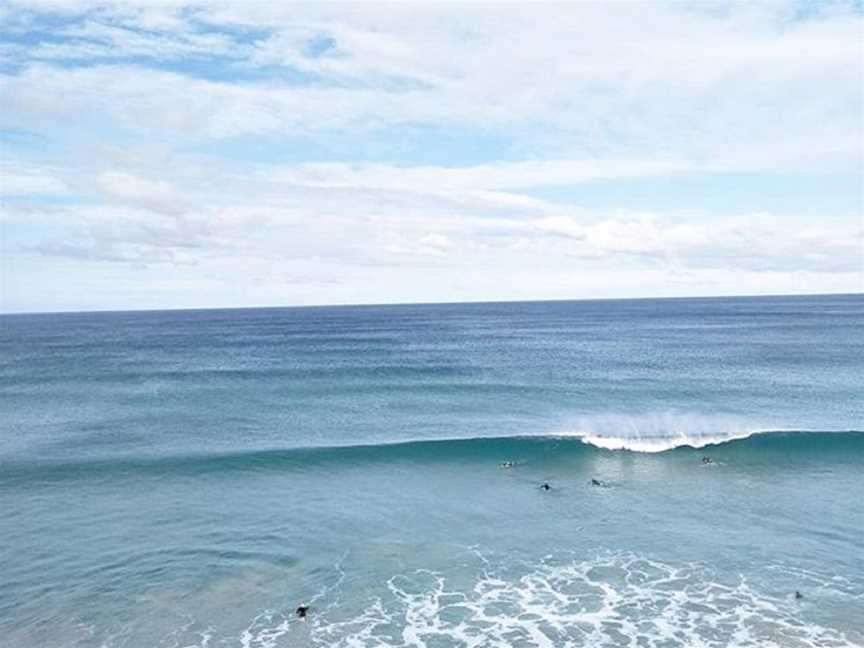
{"x":751,"y":86}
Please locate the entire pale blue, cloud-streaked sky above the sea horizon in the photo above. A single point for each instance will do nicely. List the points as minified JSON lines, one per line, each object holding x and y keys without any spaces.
{"x":231,"y":154}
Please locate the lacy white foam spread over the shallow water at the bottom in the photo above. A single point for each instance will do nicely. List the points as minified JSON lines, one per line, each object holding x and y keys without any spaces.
{"x":559,"y":602}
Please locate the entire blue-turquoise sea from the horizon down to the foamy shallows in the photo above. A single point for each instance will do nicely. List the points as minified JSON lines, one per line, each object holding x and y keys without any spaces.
{"x":188,"y":478}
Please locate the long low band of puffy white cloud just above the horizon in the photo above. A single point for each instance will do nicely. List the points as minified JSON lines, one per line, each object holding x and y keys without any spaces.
{"x":377,"y":227}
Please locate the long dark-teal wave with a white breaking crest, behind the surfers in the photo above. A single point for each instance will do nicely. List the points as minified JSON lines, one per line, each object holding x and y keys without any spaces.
{"x":521,"y":449}
